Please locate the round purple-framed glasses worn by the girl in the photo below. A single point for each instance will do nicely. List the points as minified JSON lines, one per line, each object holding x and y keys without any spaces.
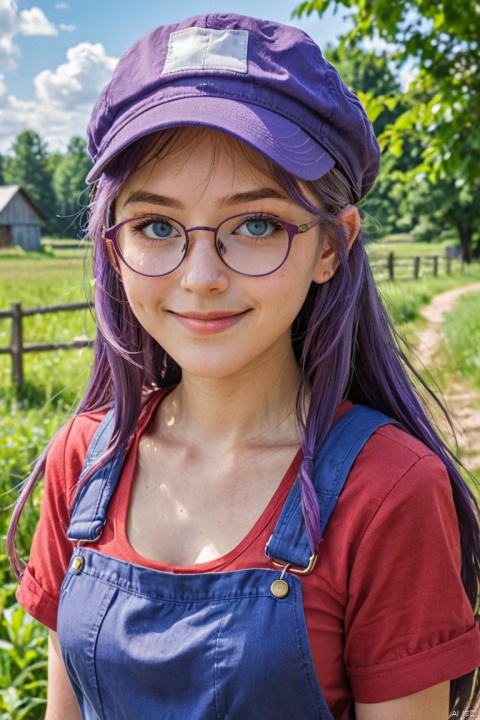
{"x":251,"y":244}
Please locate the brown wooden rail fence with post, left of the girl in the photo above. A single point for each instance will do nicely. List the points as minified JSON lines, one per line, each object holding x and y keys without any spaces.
{"x":18,"y":348}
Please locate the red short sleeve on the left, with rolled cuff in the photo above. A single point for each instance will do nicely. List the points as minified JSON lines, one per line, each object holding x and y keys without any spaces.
{"x":51,"y":550}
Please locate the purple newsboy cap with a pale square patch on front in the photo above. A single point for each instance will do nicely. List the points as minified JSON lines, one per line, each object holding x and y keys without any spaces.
{"x":261,"y":82}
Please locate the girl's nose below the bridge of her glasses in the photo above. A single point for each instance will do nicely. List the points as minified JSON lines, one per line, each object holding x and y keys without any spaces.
{"x":204,"y":272}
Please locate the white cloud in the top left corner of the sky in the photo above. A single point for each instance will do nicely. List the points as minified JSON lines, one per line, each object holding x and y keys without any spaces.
{"x":27,"y":22}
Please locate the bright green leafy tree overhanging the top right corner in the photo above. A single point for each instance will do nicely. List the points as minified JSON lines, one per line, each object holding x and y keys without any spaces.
{"x":438,"y":43}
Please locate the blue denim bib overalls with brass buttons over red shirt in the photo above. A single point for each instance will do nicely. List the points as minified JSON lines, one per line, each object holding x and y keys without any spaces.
{"x":147,"y":644}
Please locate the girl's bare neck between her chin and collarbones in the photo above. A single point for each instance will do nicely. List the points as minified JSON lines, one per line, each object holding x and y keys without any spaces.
{"x":257,"y":408}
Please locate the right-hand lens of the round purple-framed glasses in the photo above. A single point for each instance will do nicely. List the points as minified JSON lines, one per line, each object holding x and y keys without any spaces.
{"x":253,"y":244}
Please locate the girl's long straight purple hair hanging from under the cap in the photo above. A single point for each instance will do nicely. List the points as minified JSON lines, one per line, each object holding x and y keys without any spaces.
{"x":343,"y":340}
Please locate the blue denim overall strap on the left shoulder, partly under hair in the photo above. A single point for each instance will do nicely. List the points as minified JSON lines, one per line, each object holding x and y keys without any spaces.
{"x":90,"y":507}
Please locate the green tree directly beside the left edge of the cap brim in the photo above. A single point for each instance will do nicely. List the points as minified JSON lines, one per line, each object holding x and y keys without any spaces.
{"x":69,"y":172}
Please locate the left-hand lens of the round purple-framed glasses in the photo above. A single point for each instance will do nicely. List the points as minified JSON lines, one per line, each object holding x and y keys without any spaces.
{"x":152,"y":245}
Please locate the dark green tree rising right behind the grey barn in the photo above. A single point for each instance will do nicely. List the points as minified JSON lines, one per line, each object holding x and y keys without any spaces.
{"x":28,"y":166}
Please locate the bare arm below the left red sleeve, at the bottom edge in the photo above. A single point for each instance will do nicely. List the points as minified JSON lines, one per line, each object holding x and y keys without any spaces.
{"x":62,"y":702}
